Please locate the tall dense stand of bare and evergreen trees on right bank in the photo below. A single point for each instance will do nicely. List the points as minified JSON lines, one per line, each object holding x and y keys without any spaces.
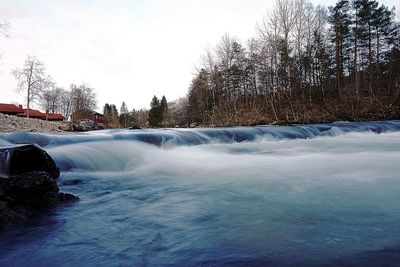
{"x":306,"y":64}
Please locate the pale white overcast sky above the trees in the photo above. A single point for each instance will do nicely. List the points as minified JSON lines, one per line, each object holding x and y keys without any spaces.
{"x":126,"y":50}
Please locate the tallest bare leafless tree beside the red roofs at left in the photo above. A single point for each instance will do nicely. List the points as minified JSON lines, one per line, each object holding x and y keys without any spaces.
{"x":32,"y":79}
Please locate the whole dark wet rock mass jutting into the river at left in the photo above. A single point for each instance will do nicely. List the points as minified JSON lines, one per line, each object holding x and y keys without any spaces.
{"x":28,"y":184}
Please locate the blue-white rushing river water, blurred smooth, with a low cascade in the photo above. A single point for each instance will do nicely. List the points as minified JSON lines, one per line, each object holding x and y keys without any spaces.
{"x":310,"y":195}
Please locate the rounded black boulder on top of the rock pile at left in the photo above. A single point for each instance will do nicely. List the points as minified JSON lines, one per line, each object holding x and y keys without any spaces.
{"x":21,"y":159}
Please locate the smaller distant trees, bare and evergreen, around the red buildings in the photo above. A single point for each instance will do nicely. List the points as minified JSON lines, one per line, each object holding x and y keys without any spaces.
{"x":80,"y":100}
